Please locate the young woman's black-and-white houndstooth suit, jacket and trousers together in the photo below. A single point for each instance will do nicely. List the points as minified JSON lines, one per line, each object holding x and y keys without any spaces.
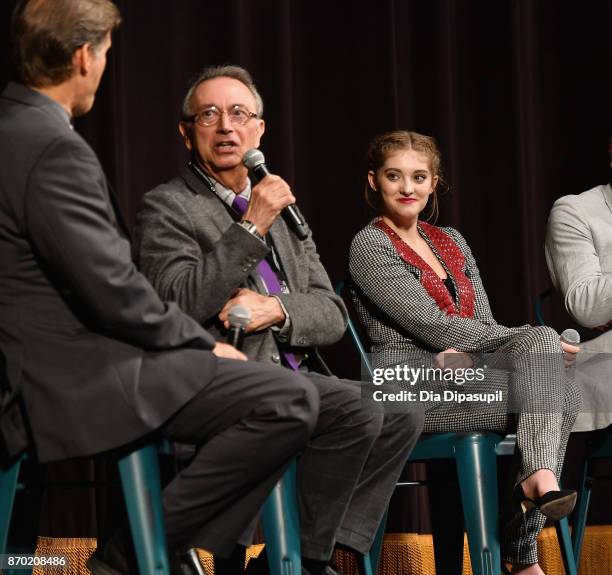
{"x":402,"y":319}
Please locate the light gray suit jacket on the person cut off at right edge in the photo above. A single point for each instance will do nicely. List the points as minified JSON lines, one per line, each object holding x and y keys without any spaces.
{"x":579,"y":254}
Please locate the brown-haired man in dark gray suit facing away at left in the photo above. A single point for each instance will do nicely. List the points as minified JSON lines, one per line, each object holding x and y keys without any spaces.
{"x":97,"y":359}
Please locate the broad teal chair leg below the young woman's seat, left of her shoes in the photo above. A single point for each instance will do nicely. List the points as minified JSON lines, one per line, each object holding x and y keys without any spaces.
{"x":477,"y":469}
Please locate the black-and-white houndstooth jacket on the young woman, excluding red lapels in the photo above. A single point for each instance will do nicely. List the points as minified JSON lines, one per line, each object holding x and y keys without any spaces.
{"x":398,"y":313}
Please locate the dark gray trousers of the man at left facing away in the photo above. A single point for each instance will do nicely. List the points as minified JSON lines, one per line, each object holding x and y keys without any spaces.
{"x":248,"y":422}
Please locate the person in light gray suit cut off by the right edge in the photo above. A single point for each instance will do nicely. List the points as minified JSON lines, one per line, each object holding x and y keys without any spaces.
{"x":579,"y":258}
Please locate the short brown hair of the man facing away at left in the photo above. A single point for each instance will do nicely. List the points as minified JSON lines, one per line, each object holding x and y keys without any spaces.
{"x":46,"y":33}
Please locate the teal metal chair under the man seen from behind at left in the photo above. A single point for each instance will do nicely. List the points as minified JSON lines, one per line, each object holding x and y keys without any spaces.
{"x":139,"y":474}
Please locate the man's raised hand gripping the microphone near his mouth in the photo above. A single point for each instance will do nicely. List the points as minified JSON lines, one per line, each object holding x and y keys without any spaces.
{"x":268,"y":198}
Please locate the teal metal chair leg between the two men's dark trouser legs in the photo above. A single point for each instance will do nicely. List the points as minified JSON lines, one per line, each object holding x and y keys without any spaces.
{"x":281,"y":526}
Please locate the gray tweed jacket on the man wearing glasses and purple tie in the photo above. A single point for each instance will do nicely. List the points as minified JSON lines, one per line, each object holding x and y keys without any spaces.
{"x":194,"y":253}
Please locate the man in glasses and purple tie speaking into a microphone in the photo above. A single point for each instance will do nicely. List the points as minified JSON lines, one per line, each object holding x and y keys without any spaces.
{"x":209,"y":241}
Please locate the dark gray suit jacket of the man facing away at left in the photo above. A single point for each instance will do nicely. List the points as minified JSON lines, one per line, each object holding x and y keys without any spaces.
{"x":78,"y":322}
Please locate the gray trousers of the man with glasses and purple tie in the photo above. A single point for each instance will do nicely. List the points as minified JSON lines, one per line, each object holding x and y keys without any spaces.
{"x":349,"y":469}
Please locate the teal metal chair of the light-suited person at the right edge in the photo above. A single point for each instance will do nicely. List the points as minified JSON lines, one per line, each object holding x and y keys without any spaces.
{"x":599,"y":446}
